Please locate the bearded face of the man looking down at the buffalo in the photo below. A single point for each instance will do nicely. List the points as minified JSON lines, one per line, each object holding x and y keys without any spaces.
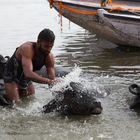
{"x":45,"y":46}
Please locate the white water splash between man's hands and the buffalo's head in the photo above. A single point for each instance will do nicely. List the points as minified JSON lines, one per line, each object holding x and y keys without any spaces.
{"x":93,"y":86}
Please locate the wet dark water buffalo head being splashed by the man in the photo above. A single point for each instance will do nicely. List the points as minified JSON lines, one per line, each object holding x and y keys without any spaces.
{"x":74,"y":100}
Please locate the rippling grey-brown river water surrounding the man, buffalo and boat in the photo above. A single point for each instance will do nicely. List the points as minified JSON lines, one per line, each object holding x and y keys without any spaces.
{"x":95,"y":62}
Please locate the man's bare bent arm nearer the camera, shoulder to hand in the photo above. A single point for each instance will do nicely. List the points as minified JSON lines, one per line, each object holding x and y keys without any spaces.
{"x":27,"y":54}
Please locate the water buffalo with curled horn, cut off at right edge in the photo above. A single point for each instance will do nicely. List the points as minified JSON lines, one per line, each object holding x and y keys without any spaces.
{"x":135,"y":89}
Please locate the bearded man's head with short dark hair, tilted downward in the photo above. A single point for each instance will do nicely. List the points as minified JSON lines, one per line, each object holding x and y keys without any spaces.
{"x":46,"y":40}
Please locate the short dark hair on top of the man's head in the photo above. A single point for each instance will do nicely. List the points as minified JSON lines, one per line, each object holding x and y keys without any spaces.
{"x":46,"y":34}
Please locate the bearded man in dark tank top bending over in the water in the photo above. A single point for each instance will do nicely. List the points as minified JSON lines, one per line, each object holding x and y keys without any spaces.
{"x":29,"y":57}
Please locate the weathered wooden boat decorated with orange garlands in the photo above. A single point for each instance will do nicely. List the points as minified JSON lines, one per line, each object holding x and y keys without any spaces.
{"x":118,"y":22}
